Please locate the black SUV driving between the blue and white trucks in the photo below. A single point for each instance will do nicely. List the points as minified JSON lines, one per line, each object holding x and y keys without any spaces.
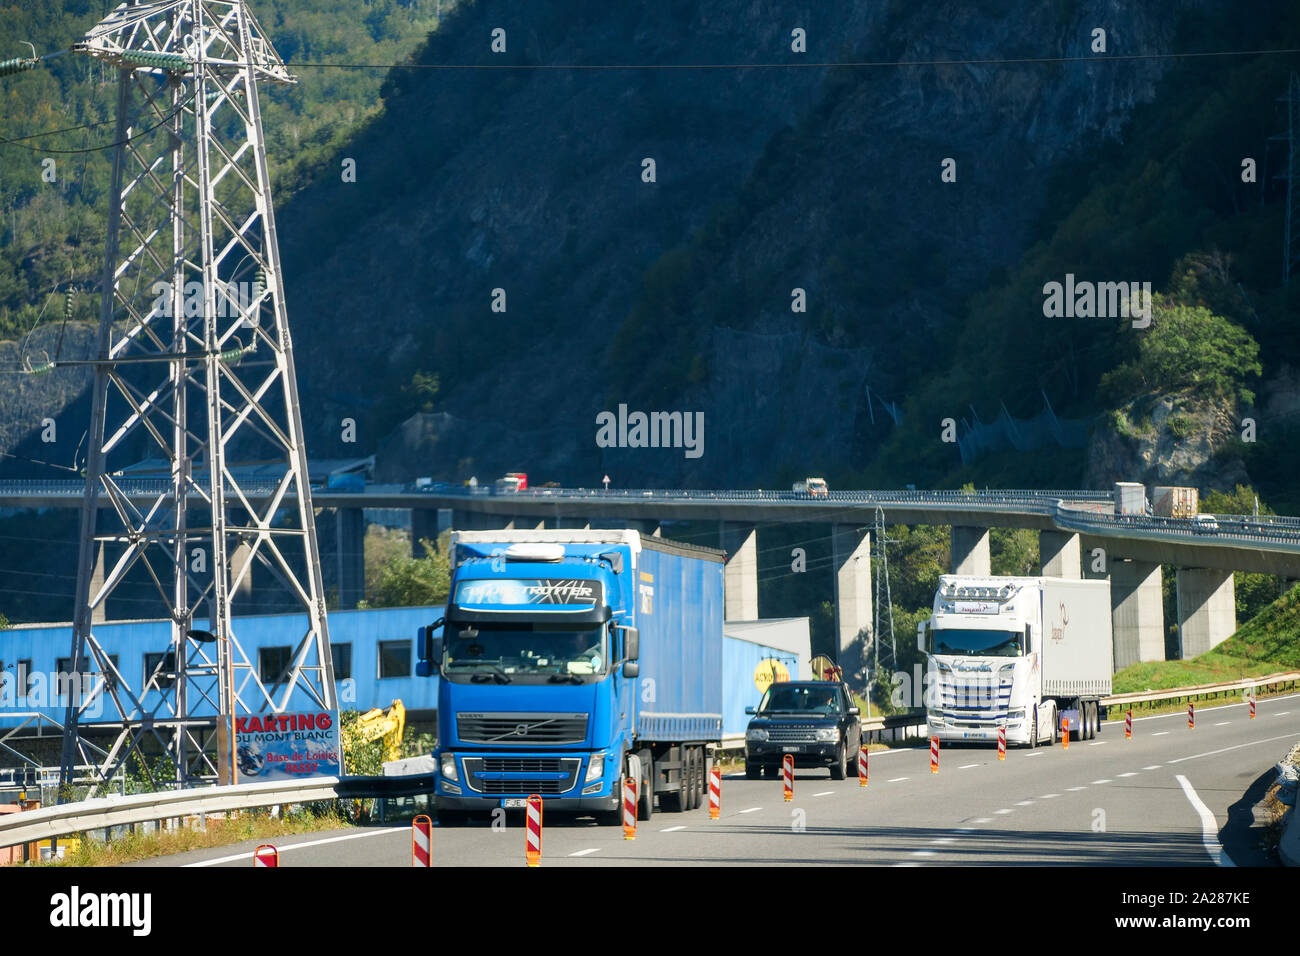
{"x":813,"y":720}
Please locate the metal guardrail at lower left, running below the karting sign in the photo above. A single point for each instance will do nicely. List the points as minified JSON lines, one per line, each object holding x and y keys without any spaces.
{"x":79,"y":817}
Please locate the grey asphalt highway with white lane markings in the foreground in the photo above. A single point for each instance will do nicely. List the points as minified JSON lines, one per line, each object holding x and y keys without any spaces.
{"x":1171,"y":797}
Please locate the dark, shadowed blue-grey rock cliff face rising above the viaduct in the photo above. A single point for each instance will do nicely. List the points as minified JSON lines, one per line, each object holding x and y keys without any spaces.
{"x":677,"y":295}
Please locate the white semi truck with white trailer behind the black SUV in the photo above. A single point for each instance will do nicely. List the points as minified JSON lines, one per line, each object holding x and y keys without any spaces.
{"x":1017,"y":652}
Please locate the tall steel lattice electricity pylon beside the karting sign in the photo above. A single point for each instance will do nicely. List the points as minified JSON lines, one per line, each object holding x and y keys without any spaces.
{"x":193,"y":365}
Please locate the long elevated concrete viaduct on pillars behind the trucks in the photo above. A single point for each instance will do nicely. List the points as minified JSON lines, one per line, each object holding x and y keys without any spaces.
{"x":1080,"y":537}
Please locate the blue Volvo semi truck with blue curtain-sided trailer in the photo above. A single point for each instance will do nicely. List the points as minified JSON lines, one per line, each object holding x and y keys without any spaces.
{"x":571,"y":661}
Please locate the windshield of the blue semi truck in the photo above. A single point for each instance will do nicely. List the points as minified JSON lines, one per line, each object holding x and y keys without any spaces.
{"x":501,"y":652}
